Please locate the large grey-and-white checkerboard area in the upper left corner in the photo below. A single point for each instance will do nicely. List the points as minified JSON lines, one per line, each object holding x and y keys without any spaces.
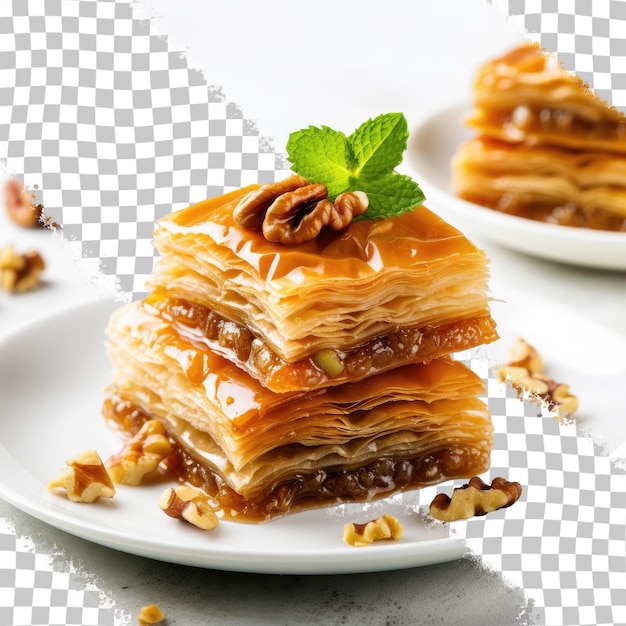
{"x":114,"y":128}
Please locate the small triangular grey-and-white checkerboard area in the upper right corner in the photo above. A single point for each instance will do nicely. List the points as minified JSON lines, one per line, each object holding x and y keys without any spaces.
{"x":589,"y":37}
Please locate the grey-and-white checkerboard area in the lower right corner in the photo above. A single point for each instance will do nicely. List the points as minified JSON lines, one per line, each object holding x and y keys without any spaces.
{"x":564,"y":541}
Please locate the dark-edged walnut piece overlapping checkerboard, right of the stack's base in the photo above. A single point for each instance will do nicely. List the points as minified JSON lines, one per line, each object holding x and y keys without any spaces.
{"x":475,"y":498}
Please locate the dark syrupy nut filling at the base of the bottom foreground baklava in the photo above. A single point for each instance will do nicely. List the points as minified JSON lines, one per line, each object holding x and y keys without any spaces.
{"x":325,"y":487}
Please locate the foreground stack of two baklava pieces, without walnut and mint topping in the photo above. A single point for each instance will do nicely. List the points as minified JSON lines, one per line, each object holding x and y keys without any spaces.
{"x":297,"y":376}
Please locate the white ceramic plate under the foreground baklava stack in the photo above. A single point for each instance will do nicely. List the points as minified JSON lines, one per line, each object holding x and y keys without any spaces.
{"x":52,"y":373}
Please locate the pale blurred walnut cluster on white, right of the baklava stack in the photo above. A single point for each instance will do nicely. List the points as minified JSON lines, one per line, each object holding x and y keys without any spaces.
{"x":525,"y":372}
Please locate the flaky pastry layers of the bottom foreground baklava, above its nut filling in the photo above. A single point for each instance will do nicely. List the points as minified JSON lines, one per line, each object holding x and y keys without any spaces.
{"x":170,"y":378}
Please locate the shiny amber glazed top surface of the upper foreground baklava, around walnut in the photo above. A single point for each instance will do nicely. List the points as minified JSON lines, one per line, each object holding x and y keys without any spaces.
{"x":358,"y":252}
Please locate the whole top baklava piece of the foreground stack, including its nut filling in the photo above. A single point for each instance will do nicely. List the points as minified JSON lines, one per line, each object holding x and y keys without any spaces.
{"x":338,"y":308}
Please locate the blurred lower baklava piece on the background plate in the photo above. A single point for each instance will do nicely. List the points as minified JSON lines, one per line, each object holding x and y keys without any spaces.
{"x":572,"y":188}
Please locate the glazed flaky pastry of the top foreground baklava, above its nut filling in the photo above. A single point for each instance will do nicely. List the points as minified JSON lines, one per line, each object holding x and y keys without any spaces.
{"x":336,"y":292}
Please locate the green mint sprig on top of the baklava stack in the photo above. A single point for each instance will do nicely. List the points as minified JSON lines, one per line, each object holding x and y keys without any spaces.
{"x":364,"y":161}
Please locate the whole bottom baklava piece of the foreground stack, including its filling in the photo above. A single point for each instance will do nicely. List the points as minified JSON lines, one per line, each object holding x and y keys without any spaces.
{"x":352,"y":443}
